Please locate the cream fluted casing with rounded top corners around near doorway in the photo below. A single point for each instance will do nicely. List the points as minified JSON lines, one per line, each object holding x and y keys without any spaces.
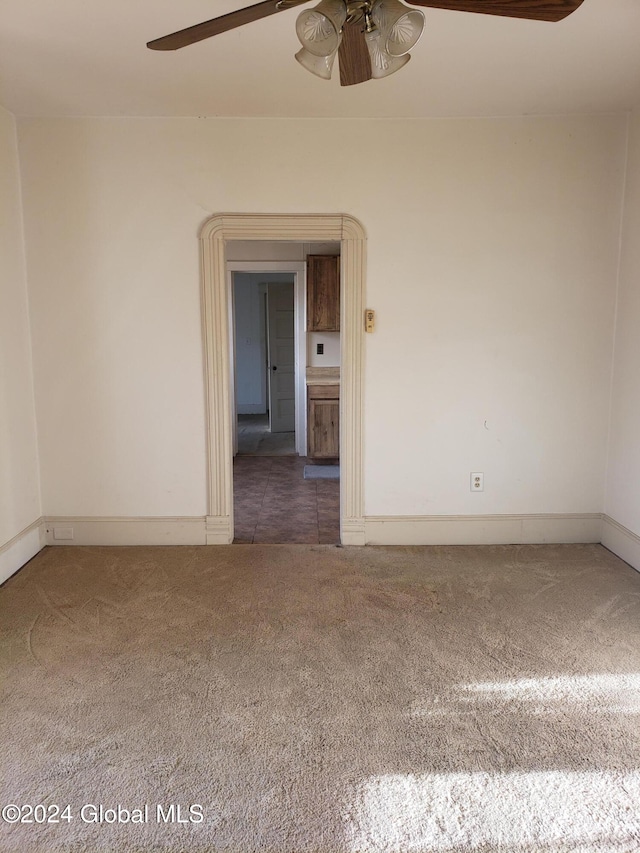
{"x":305,"y":228}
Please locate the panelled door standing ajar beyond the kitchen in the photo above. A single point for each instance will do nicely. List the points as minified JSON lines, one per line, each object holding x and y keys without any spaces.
{"x":282,"y":368}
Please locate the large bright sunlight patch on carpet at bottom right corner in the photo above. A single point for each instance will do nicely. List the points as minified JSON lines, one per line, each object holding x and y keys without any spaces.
{"x":547,"y":810}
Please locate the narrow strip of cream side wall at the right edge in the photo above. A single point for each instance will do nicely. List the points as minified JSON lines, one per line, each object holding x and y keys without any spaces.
{"x":623,"y":483}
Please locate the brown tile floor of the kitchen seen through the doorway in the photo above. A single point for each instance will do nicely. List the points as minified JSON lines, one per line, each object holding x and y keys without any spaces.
{"x":273,"y":503}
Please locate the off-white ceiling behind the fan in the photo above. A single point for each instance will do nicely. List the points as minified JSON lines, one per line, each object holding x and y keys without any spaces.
{"x":88,"y":57}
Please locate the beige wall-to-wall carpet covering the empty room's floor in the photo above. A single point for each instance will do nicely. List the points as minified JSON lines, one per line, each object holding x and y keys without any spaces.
{"x":313,"y":699}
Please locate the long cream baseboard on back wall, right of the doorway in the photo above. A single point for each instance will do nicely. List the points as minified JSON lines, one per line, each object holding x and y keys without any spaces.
{"x":483,"y":529}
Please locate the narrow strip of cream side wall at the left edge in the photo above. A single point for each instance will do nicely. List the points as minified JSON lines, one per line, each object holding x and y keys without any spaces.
{"x":19,"y":486}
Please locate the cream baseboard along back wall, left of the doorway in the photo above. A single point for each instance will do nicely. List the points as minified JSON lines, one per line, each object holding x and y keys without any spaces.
{"x":78,"y":530}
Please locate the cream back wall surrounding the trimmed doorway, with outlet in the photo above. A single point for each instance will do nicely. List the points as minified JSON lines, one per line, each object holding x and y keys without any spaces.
{"x":492,"y":263}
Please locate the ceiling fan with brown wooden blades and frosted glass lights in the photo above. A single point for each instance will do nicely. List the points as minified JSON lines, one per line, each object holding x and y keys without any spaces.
{"x":371,"y":38}
